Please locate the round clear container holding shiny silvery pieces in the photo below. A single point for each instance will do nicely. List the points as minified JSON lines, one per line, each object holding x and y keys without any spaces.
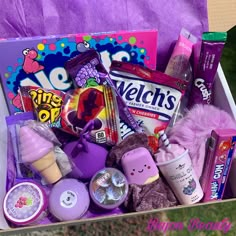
{"x":108,"y":188}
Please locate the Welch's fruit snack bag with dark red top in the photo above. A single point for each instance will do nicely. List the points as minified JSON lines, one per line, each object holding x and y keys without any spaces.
{"x":151,"y":96}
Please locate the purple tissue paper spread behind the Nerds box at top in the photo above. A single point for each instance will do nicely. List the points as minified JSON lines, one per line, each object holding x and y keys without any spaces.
{"x":21,"y":18}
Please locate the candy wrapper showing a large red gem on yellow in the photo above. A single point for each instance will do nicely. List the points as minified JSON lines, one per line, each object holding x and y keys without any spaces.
{"x":93,"y":103}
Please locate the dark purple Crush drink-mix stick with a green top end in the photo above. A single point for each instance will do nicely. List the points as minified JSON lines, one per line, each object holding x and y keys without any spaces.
{"x":211,"y":50}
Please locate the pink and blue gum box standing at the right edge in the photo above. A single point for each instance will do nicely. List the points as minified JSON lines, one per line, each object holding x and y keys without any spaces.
{"x":218,"y":162}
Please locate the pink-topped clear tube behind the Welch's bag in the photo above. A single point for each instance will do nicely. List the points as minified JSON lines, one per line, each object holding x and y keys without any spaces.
{"x":179,"y":67}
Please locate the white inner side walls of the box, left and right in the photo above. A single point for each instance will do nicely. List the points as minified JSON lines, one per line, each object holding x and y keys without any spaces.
{"x":222,"y":98}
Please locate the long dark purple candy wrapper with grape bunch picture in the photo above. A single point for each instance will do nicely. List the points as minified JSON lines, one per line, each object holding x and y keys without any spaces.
{"x":86,"y":70}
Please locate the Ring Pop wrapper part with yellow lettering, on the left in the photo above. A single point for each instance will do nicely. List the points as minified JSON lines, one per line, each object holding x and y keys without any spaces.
{"x":46,"y":103}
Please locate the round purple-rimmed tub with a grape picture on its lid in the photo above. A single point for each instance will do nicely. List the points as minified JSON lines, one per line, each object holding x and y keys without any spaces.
{"x":25,"y":204}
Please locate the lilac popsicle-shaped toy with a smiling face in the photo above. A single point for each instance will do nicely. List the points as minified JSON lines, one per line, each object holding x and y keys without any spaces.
{"x":139,"y":166}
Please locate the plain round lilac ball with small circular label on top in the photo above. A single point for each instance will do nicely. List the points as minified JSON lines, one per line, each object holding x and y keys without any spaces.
{"x":69,"y":200}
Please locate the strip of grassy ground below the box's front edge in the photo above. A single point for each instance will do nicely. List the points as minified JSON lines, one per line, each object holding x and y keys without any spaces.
{"x":138,"y":225}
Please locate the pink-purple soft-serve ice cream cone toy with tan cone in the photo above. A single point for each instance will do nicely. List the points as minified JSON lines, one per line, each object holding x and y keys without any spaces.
{"x":39,"y":153}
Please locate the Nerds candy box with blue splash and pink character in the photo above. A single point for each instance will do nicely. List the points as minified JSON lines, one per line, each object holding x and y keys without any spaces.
{"x":39,"y":61}
